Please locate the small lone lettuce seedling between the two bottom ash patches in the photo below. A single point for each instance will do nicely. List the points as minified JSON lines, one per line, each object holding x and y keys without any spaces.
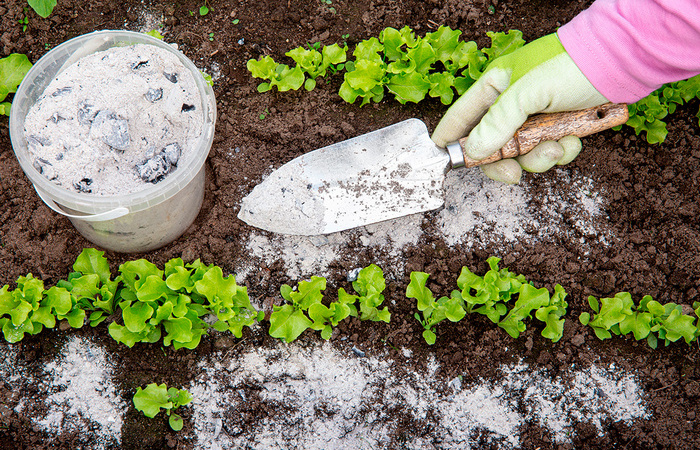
{"x":156,"y":397}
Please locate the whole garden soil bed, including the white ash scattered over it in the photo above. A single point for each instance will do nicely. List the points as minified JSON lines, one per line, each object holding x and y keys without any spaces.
{"x":622,"y":217}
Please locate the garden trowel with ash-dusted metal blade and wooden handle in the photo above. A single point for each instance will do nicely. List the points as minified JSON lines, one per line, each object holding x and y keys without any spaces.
{"x":389,"y":173}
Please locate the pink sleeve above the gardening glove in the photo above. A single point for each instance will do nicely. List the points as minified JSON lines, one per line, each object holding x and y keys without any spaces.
{"x":629,"y":48}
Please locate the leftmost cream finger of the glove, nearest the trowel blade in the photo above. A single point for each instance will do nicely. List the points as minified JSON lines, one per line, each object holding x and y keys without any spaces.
{"x":468,"y":110}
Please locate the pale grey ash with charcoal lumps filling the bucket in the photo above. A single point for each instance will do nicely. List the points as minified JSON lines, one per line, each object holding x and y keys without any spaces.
{"x":116,"y":121}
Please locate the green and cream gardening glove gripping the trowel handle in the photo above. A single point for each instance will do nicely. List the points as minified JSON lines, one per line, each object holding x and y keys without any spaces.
{"x":539,"y":77}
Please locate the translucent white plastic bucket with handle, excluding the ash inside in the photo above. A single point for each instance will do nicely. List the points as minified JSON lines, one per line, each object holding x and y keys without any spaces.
{"x":135,"y":222}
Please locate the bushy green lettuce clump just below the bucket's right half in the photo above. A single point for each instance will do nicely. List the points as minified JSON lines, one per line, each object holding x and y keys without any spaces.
{"x":176,"y":300}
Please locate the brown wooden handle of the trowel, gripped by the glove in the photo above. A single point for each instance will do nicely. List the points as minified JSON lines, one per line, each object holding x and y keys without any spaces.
{"x":554,"y":126}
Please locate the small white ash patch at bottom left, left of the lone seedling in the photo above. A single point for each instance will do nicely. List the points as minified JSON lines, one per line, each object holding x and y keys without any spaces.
{"x":83,"y":396}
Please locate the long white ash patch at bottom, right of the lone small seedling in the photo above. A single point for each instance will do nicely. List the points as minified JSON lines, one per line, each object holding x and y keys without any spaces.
{"x":323,"y":397}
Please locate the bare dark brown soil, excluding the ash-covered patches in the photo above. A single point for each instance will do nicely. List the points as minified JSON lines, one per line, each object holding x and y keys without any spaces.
{"x":651,"y":193}
